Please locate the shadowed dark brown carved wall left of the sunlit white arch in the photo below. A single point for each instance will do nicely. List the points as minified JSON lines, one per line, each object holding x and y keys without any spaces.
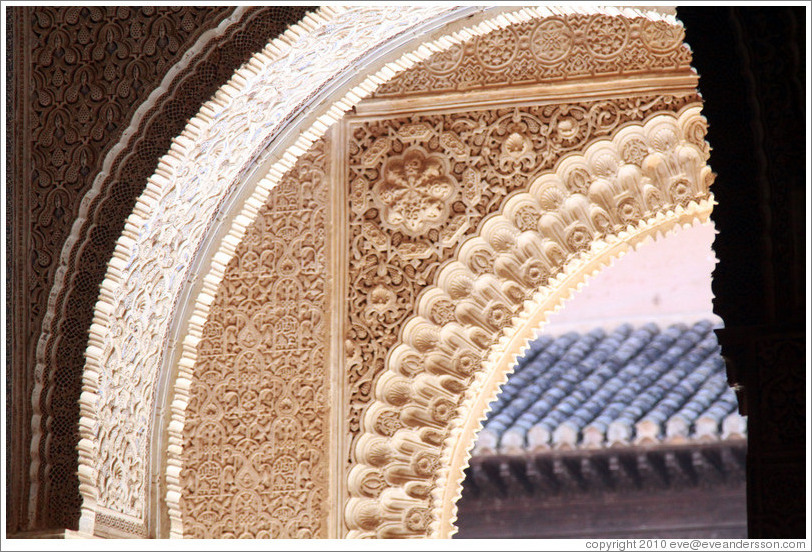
{"x":72,"y":192}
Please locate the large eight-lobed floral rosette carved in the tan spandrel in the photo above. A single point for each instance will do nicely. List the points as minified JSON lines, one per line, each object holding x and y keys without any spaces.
{"x":414,"y":191}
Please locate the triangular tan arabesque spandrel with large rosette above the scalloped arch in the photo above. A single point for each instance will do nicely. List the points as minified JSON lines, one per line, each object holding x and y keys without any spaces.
{"x":488,"y":155}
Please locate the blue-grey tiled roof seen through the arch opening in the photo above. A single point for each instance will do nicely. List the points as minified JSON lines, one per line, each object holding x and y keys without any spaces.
{"x":630,"y":386}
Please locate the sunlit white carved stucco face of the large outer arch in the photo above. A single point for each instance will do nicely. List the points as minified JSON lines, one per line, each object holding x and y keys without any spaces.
{"x":303,"y":66}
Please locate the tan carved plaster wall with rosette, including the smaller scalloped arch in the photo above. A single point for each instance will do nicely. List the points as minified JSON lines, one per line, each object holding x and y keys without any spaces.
{"x":419,"y":188}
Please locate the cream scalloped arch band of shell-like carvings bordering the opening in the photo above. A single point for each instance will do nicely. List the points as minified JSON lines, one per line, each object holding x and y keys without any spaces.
{"x":433,"y":377}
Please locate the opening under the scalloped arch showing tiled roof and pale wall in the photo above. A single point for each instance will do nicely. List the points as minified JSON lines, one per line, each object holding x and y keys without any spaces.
{"x":617,"y":403}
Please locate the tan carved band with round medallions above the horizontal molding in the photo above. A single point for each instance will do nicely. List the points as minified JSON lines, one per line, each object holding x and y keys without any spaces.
{"x":563,"y":47}
